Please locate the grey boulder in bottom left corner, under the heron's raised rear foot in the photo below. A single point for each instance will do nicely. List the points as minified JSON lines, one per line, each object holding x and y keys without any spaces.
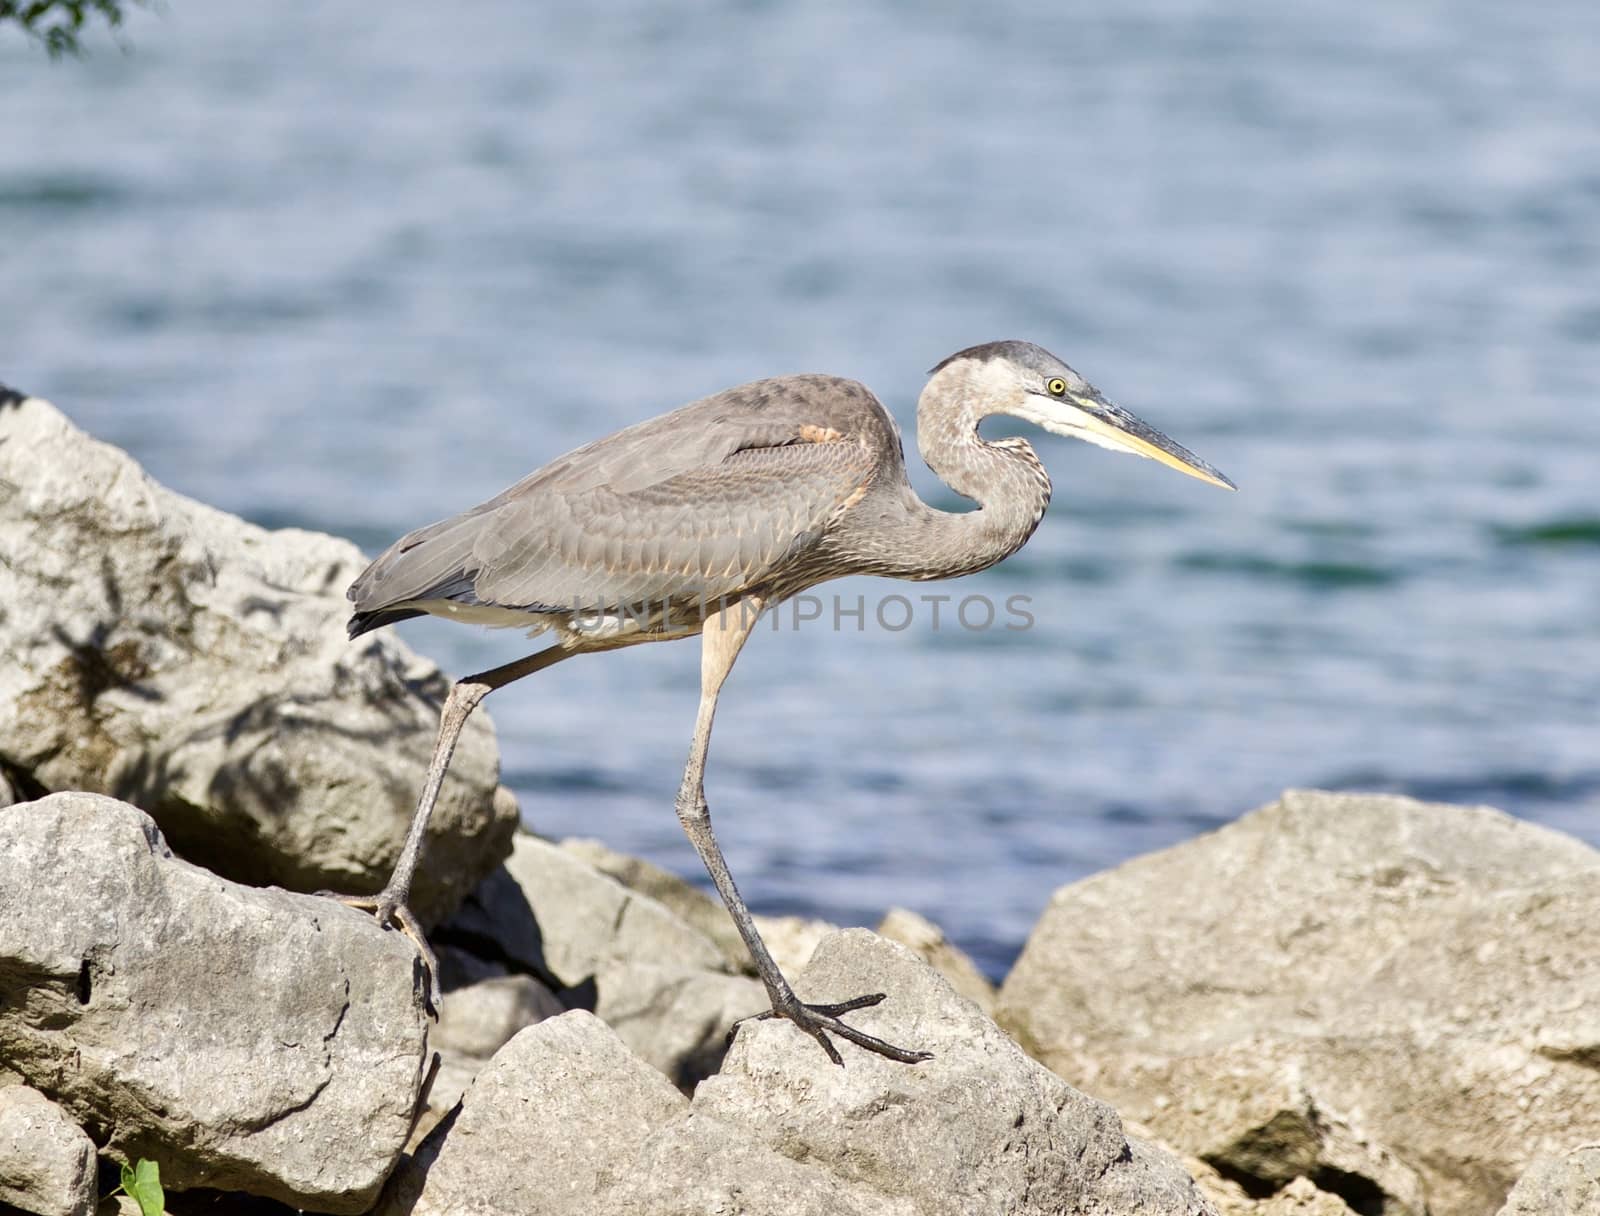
{"x":226,"y":1033}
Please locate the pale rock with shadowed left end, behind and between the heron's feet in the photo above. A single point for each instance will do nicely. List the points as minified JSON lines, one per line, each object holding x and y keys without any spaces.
{"x":662,"y":985}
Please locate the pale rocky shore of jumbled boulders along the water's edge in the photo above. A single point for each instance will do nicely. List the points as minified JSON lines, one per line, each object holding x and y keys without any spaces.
{"x":1338,"y":1004}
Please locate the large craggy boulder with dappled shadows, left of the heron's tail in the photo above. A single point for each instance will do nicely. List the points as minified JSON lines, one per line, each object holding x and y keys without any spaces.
{"x":198,"y":666}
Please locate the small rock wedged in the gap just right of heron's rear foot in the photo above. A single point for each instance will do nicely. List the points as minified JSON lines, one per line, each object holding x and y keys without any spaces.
{"x":484,"y":1009}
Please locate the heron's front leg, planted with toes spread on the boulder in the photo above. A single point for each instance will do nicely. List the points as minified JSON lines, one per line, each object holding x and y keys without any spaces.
{"x":722,"y":639}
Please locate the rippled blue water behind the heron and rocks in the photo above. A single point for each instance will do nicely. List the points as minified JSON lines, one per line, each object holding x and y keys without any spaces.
{"x":358,"y":270}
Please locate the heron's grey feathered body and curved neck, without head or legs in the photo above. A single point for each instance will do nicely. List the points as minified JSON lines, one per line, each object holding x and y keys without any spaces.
{"x":770,"y":487}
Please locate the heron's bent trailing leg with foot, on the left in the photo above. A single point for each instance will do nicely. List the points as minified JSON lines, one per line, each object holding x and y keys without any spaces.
{"x":393,"y":903}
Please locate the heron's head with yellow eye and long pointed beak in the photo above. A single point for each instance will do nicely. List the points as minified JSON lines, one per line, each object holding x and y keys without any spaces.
{"x":1030,"y":383}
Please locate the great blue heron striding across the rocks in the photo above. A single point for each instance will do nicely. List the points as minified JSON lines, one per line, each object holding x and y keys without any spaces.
{"x":697,"y":521}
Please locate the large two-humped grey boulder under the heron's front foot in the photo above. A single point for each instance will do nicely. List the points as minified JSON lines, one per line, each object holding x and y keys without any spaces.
{"x":567,"y":1121}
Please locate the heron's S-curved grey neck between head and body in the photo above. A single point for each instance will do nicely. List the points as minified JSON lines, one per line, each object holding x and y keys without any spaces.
{"x":1006,"y":479}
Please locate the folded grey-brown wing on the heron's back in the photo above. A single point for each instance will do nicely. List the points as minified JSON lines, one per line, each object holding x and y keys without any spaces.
{"x":703,"y":502}
